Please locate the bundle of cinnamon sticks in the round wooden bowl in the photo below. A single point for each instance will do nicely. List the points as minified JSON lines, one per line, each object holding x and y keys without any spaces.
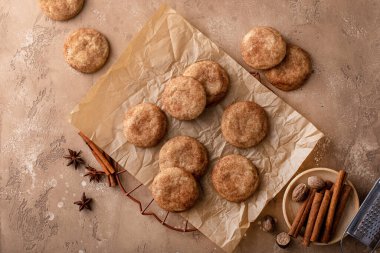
{"x":320,"y":213}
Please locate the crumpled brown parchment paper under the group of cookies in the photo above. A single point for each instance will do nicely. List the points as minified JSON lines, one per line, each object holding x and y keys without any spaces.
{"x":164,"y":47}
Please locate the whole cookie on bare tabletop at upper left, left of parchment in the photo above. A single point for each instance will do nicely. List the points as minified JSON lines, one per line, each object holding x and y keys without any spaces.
{"x":86,"y":50}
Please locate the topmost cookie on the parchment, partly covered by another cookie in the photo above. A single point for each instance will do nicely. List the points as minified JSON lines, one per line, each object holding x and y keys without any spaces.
{"x":213,"y":78}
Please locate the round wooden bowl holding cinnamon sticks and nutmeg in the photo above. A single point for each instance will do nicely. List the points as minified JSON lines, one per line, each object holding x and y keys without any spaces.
{"x":290,"y":207}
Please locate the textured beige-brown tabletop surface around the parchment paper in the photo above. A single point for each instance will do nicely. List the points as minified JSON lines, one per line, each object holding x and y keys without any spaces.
{"x":38,"y":90}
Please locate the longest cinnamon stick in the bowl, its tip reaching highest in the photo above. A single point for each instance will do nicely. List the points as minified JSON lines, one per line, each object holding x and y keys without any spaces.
{"x":338,"y":185}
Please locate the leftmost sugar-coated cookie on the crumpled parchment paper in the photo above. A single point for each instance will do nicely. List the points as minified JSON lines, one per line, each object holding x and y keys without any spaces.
{"x":144,"y":125}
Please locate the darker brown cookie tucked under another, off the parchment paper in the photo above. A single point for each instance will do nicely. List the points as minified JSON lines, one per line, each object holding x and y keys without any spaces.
{"x":293,"y":71}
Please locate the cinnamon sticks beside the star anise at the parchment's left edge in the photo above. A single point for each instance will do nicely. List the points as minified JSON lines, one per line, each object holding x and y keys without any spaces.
{"x":103,"y":159}
